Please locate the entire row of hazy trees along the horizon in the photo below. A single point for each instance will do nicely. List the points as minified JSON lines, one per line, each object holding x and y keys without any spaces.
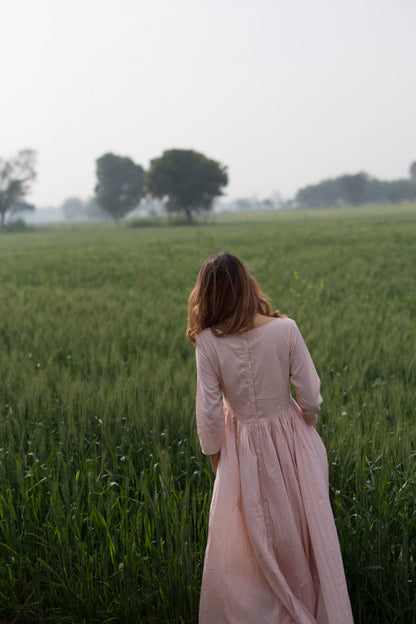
{"x":185,"y":182}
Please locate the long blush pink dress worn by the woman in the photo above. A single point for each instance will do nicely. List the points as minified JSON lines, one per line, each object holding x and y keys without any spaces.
{"x":273,"y":554}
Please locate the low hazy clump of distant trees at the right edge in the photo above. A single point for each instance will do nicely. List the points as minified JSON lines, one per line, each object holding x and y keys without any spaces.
{"x":358,"y":189}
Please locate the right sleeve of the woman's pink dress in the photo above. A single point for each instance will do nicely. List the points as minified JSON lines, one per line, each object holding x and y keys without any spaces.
{"x":304,"y":377}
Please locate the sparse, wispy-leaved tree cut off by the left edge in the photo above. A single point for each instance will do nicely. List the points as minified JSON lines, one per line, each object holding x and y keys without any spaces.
{"x":16,"y":176}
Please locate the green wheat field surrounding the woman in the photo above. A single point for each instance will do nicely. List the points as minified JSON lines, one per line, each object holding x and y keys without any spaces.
{"x":104,"y":492}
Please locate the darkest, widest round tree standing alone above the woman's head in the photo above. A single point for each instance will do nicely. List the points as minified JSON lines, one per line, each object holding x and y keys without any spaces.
{"x":187,"y":180}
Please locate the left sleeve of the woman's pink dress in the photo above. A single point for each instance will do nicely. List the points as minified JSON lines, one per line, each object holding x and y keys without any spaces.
{"x":209,"y":405}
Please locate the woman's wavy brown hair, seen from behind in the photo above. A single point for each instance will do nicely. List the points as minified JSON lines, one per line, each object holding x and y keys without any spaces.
{"x":225,"y":297}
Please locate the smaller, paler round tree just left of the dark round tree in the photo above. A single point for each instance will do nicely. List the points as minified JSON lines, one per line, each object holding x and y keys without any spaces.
{"x":120,"y":184}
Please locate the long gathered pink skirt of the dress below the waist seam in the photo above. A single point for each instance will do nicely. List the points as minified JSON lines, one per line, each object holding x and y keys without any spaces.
{"x":273,"y":554}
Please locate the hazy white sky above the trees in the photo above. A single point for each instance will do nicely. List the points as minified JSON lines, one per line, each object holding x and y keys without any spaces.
{"x":283,"y":93}
